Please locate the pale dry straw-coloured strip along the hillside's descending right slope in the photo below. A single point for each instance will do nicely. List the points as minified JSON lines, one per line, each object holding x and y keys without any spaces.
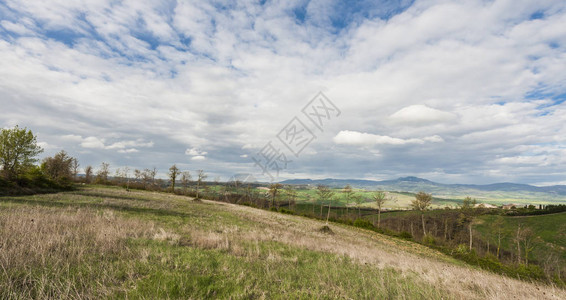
{"x":367,"y":247}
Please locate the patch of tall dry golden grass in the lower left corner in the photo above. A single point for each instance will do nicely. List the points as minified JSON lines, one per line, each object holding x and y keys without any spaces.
{"x":40,"y":247}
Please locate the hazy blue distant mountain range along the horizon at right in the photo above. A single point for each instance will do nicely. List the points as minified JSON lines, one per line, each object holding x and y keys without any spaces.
{"x":415,"y":184}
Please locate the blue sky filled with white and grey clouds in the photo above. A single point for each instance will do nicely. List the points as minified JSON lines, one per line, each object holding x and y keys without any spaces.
{"x":451,"y":91}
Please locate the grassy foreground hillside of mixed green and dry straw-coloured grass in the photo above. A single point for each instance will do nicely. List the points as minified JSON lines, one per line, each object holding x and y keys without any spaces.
{"x":101,"y":242}
